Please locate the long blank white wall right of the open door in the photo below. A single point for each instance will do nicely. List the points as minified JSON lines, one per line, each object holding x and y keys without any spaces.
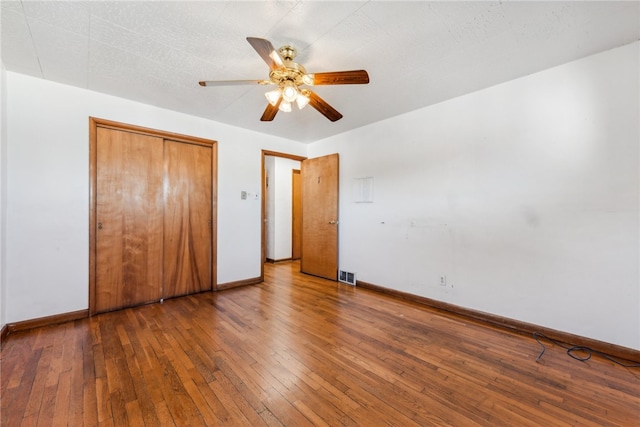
{"x":524,"y":195}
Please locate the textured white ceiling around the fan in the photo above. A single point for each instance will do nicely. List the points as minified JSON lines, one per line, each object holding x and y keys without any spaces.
{"x":417,"y":53}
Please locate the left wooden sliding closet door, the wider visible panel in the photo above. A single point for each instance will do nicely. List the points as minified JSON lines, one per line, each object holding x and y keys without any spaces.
{"x":129,"y":212}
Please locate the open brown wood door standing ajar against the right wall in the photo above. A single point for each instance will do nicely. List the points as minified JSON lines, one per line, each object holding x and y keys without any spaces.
{"x":320,"y":217}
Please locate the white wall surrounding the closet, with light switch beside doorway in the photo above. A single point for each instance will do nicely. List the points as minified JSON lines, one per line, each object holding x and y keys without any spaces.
{"x":48,"y":191}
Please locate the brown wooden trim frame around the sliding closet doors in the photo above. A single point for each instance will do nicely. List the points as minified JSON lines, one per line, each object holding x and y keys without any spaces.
{"x":94,"y":124}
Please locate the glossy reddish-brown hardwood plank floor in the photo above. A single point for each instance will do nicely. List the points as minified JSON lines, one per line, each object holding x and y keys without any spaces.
{"x":300,"y":351}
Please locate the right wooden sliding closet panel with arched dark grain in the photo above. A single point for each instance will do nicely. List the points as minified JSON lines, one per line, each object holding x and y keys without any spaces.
{"x":187,"y":219}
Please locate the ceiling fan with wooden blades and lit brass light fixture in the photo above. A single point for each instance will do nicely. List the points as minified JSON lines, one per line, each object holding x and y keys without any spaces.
{"x":289,"y":77}
